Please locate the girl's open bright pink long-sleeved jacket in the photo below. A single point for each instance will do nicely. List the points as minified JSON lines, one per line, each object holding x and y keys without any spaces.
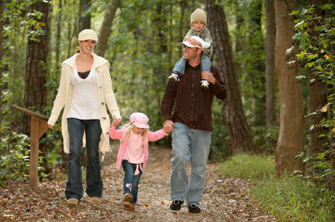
{"x":118,"y":134}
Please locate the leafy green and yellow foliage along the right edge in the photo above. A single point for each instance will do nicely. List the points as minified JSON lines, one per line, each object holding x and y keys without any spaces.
{"x":316,"y":43}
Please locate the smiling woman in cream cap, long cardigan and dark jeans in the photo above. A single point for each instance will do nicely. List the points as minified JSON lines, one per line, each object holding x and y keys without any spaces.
{"x":84,"y":91}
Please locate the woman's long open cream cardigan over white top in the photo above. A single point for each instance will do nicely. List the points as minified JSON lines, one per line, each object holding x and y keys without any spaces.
{"x":105,"y":94}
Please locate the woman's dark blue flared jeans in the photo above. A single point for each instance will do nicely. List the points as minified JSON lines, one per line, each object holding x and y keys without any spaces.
{"x":74,"y":187}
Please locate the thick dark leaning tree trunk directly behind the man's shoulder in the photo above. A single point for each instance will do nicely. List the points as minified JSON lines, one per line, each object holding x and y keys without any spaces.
{"x":234,"y":114}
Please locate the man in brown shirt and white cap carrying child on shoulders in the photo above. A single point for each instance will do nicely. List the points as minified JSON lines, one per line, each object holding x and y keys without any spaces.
{"x":192,"y":125}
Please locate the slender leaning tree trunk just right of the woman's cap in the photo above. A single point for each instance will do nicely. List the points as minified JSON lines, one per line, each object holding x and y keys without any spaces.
{"x":106,"y":26}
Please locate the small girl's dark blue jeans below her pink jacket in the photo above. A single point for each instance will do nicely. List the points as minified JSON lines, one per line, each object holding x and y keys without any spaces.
{"x":131,"y":181}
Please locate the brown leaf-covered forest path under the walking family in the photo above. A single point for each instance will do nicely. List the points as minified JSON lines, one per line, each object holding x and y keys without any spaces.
{"x":224,"y":198}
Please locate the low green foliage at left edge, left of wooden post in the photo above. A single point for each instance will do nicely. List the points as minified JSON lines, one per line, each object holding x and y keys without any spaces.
{"x":14,"y":152}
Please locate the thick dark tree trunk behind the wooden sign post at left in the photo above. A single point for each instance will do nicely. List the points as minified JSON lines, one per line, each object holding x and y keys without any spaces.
{"x":36,"y":64}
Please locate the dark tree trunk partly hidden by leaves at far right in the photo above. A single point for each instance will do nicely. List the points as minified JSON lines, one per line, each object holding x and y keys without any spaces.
{"x":317,"y":94}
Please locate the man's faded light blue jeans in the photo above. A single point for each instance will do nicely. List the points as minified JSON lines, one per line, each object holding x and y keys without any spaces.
{"x":189,"y":145}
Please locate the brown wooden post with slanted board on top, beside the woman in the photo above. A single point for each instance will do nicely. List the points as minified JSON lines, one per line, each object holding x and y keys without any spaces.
{"x":38,"y":126}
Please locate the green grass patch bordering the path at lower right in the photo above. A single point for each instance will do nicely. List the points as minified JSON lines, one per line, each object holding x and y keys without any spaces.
{"x":287,"y":198}
